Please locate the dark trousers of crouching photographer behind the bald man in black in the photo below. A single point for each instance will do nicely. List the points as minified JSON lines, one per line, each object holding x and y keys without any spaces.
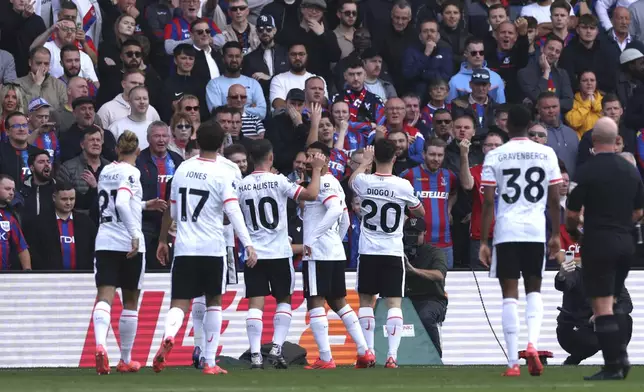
{"x":582,"y":342}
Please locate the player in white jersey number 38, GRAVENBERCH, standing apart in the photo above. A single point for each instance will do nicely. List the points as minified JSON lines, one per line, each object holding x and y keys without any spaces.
{"x":527,"y":177}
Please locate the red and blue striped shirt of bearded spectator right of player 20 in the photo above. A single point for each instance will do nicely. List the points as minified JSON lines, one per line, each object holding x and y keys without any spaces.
{"x":433,"y":189}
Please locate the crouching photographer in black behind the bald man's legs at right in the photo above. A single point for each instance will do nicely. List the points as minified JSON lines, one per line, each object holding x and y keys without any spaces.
{"x":575,"y":331}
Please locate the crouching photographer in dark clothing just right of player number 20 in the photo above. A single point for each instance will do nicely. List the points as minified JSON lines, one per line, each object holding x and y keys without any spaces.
{"x":426,"y":269}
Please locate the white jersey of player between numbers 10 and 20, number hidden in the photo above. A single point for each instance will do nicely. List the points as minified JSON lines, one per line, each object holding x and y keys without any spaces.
{"x":329,"y":245}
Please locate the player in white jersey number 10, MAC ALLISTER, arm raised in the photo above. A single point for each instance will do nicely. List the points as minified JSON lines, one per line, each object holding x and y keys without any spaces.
{"x":263,"y":197}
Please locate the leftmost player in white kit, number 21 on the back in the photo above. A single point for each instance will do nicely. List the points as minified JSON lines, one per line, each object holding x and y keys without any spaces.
{"x":120,"y":250}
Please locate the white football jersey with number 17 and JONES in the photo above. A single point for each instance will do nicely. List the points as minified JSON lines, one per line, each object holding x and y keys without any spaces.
{"x":200,"y":188}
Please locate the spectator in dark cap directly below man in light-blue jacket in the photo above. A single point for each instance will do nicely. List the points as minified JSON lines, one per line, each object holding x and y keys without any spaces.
{"x":478,"y":103}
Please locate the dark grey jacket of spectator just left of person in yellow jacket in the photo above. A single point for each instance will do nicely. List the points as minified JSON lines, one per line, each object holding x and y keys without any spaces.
{"x":532,"y":82}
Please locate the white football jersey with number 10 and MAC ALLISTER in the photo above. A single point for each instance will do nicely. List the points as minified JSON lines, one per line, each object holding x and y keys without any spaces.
{"x":262,"y":198}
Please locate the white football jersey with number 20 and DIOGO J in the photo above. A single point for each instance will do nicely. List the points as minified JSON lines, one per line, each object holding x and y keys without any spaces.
{"x":383,"y":199}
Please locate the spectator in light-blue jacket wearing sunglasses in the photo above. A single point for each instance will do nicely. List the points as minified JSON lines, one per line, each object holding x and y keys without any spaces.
{"x":474,"y":56}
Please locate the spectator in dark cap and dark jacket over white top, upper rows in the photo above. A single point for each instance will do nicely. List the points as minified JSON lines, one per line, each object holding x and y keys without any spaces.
{"x":269,"y":58}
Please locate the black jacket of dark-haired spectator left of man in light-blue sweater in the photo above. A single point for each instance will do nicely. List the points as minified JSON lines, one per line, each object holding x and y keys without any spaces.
{"x":177,"y":85}
